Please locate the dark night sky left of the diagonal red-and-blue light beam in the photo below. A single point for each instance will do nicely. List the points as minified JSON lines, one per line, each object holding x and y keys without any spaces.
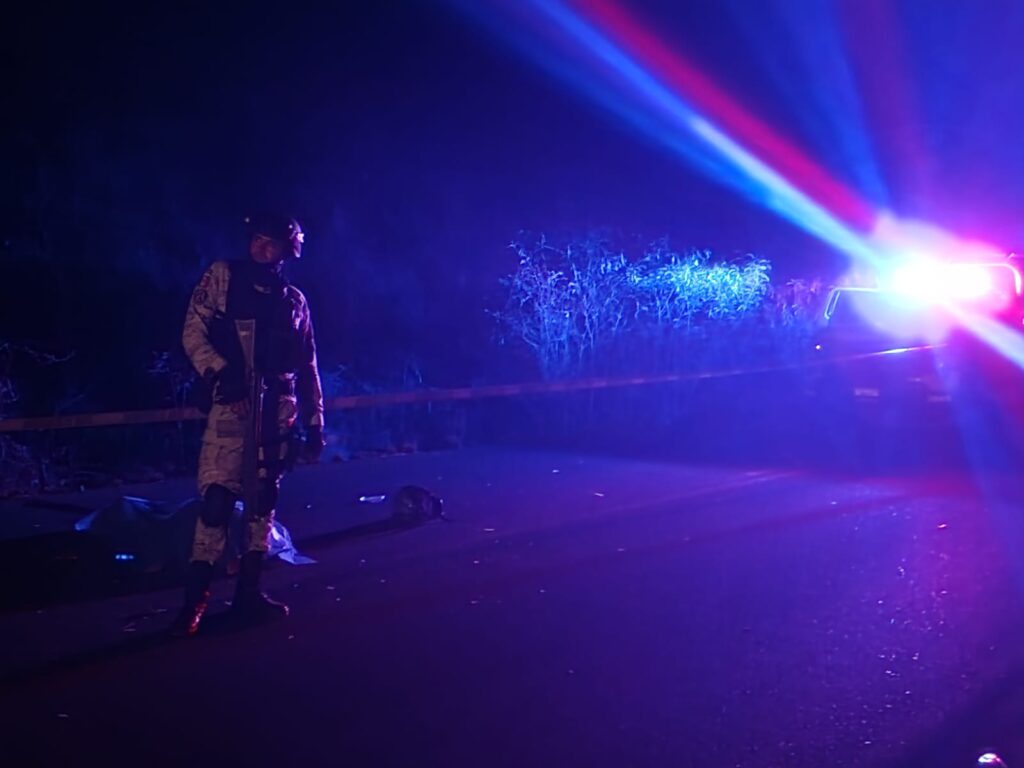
{"x":412,"y":147}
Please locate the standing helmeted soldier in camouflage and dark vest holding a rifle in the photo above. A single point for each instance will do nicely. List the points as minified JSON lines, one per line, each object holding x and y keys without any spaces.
{"x":249,"y":335}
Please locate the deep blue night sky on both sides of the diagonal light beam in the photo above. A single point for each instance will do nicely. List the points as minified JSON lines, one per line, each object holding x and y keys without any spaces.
{"x":414,"y":145}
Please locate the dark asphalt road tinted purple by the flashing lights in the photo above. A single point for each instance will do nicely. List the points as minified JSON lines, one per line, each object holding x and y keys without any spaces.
{"x":577,"y":611}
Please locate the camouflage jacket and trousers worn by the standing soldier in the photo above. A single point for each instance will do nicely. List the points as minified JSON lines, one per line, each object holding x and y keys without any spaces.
{"x":293,"y":393}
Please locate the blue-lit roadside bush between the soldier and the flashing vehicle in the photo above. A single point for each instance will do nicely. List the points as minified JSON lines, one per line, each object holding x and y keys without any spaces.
{"x":586,"y":307}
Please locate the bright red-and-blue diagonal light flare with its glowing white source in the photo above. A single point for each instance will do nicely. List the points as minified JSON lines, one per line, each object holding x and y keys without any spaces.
{"x":603,"y":51}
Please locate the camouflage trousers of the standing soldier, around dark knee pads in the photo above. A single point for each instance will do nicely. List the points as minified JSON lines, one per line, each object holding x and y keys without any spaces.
{"x":221,"y":463}
